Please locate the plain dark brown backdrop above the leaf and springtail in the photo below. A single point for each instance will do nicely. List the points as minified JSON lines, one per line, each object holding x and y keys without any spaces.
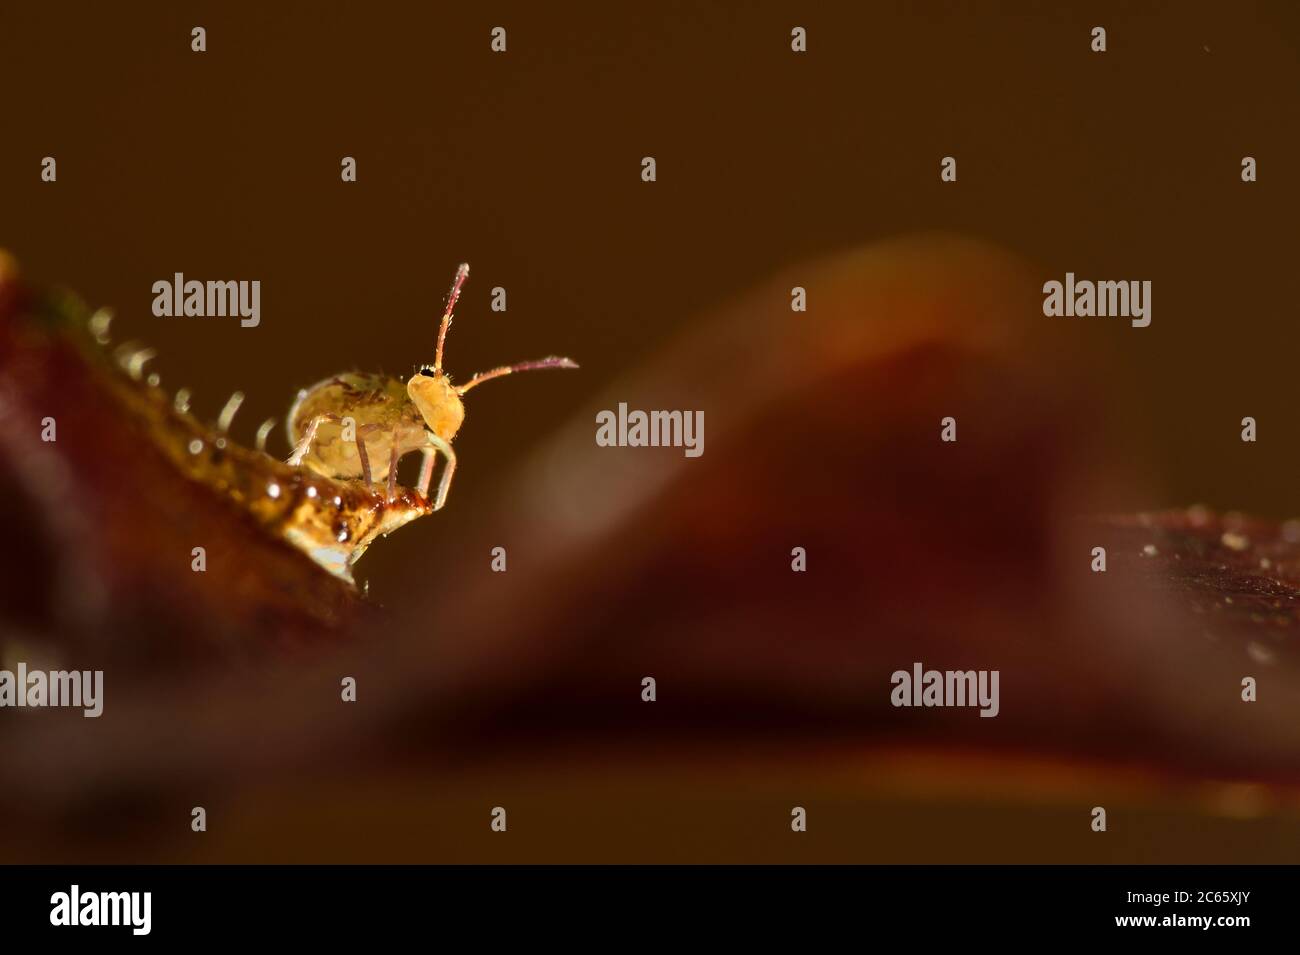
{"x":527,"y":166}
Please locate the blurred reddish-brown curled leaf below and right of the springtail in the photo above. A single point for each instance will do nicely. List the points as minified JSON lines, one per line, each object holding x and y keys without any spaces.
{"x":523,"y":689}
